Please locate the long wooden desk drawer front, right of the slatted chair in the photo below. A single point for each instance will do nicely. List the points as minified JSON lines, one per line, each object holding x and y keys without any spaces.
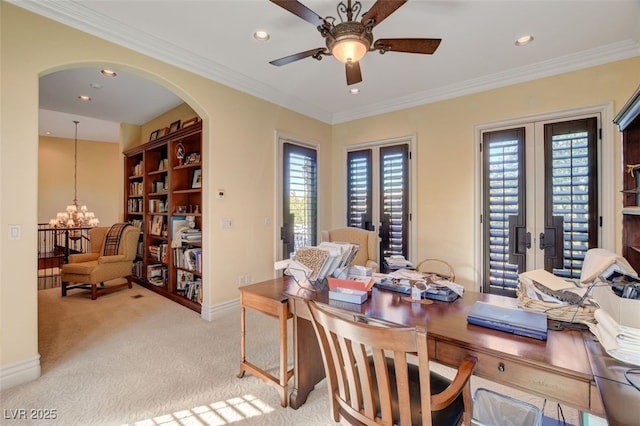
{"x":546,"y":383}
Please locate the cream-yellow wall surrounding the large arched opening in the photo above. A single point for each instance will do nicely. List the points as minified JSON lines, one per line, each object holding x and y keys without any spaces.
{"x":238,"y":158}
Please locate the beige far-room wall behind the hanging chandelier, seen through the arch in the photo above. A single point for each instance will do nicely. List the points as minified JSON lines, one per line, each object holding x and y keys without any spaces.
{"x":99,"y":186}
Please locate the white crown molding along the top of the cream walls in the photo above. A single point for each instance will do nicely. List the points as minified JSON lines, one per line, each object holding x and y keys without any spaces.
{"x":76,"y":15}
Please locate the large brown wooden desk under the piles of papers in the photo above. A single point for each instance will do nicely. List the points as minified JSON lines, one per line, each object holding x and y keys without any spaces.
{"x":559,"y":369}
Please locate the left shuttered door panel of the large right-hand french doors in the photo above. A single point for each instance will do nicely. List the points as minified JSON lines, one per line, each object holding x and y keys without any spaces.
{"x":503,"y":202}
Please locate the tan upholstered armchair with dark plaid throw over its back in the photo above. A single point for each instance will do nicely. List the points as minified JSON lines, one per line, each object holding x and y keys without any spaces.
{"x":113,"y":250}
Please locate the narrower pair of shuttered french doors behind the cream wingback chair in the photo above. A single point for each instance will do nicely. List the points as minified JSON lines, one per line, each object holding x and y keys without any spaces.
{"x":378,"y":194}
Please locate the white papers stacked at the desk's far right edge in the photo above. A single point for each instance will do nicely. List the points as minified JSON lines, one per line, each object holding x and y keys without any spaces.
{"x":622,"y":343}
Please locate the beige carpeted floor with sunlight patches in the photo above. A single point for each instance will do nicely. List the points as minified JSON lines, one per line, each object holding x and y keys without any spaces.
{"x":135,"y":358}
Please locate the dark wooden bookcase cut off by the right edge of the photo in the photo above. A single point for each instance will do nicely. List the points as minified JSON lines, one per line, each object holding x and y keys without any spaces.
{"x":628,"y":121}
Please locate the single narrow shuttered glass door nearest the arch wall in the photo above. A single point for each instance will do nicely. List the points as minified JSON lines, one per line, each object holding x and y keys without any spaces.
{"x":300,"y":198}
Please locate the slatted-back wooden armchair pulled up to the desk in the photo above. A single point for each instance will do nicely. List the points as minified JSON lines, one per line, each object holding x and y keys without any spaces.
{"x":371,"y":380}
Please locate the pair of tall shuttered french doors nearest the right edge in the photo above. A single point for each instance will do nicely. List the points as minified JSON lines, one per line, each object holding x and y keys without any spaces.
{"x":540,"y":207}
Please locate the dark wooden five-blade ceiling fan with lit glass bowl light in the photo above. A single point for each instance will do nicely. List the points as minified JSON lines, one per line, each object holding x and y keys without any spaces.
{"x":349,"y":40}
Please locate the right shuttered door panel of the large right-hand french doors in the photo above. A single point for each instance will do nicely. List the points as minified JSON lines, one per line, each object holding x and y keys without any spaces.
{"x":571,"y":181}
